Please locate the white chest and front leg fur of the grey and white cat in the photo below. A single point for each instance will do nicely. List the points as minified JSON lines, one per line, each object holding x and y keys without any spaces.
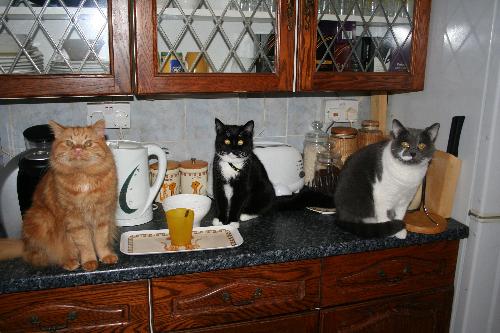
{"x":398,"y":185}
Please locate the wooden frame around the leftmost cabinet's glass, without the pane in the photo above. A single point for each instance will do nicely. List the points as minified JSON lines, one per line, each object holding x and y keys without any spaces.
{"x":118,"y":82}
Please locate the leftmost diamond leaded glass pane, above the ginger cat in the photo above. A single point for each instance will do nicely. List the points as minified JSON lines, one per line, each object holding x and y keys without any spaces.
{"x":54,"y":37}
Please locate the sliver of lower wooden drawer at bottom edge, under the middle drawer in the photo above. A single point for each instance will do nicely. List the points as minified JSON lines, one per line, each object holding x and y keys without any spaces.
{"x":299,"y":323}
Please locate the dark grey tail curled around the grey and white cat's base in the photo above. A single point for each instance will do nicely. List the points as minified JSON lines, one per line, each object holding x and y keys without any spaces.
{"x":372,"y":230}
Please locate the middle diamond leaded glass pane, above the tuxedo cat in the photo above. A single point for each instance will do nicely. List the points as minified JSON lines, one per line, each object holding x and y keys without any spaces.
{"x":216,"y":36}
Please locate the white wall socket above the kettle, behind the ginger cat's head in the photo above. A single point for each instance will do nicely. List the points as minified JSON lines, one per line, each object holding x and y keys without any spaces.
{"x":116,"y":115}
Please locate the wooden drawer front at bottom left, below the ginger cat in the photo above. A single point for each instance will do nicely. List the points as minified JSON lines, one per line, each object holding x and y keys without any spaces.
{"x":102,"y":308}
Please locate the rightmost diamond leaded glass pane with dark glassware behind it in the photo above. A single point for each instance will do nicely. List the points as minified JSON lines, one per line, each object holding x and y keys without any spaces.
{"x":364,"y":35}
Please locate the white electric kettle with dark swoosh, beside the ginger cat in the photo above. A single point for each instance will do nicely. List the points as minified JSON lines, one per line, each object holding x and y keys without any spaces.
{"x":135,"y":195}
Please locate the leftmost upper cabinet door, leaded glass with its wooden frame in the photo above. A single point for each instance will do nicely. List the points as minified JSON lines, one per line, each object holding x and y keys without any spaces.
{"x":63,"y":39}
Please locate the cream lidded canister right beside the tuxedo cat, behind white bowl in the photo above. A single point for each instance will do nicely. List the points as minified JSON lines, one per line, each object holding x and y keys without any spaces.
{"x":194,"y":176}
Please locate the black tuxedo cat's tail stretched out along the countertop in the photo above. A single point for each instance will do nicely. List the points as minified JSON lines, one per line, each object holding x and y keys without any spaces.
{"x":303,"y":199}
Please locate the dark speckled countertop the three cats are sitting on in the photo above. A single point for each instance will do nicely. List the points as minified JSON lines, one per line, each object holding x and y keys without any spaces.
{"x":278,"y":237}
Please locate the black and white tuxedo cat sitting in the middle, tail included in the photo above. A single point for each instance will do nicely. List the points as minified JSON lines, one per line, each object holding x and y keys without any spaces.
{"x":241,"y":187}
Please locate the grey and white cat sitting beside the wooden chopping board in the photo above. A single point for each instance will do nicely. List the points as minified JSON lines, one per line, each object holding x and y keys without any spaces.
{"x":378,"y":182}
